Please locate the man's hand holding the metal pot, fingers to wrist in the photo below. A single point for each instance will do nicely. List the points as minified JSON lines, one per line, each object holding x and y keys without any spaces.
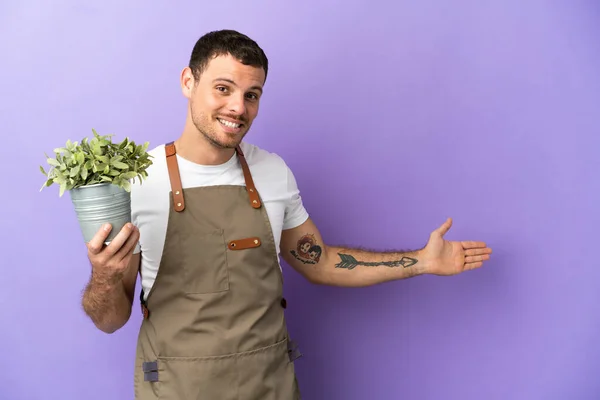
{"x":109,"y":263}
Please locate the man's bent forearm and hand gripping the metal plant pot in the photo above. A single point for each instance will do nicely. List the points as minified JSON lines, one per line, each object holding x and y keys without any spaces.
{"x":108,"y":296}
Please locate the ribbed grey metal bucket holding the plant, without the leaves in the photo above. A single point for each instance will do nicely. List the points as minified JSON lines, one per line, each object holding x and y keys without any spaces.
{"x":98,"y":204}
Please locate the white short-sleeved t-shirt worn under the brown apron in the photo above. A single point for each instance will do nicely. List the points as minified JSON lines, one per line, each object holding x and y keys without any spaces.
{"x":150,"y":200}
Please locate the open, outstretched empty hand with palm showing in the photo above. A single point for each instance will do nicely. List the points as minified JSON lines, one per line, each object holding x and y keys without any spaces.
{"x":450,"y":258}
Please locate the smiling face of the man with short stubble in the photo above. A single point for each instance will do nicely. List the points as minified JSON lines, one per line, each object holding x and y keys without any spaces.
{"x":224,"y":101}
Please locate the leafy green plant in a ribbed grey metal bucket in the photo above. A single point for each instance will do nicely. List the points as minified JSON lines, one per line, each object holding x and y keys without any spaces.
{"x":98,"y":175}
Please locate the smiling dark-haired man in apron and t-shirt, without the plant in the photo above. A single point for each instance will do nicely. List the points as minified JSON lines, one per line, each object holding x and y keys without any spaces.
{"x":211,"y":220}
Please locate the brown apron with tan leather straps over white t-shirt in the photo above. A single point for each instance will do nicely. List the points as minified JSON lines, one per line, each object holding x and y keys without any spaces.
{"x":214,"y":325}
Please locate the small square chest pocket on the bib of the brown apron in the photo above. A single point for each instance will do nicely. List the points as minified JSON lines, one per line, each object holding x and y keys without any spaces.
{"x":205,"y":264}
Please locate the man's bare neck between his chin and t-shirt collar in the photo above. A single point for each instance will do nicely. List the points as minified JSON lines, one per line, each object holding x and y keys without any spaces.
{"x":194,"y":147}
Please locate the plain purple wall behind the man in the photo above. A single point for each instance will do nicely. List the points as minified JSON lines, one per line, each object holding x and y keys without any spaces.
{"x":393,"y":116}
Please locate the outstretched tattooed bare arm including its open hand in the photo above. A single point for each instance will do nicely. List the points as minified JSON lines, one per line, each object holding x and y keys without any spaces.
{"x":303,"y":248}
